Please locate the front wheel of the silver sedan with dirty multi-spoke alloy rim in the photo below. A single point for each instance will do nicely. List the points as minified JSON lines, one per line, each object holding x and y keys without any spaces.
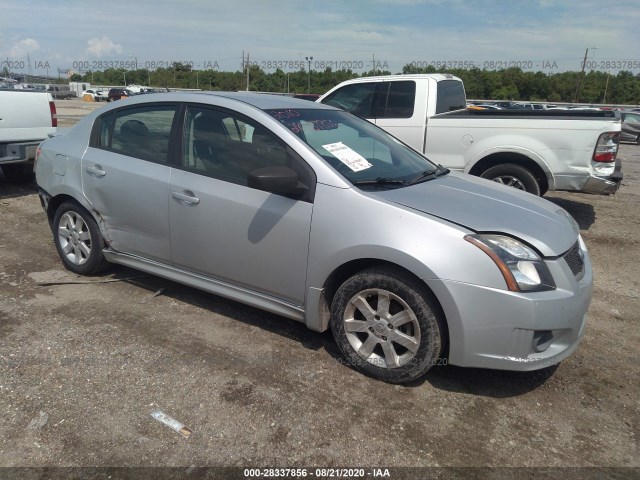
{"x":385,"y":325}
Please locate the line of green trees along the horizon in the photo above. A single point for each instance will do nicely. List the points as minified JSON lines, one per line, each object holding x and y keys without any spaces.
{"x":508,"y":84}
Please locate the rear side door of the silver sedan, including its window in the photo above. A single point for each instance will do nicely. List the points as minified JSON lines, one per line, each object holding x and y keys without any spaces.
{"x":125,"y":176}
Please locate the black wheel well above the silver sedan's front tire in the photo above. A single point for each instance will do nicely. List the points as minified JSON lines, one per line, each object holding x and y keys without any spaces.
{"x":342,"y":273}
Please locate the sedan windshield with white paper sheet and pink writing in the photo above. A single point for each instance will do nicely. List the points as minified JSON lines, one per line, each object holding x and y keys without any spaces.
{"x":363,"y":153}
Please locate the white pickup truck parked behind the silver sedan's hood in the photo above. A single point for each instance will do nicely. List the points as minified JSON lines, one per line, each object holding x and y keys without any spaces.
{"x":535,"y":151}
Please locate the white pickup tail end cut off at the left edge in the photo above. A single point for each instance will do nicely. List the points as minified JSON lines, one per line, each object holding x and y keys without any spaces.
{"x":26,"y":118}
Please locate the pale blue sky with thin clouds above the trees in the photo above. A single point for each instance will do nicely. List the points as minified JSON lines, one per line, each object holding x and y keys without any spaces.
{"x":41,"y":36}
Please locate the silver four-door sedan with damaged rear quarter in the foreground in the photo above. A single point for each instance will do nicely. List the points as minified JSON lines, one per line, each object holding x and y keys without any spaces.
{"x":317,"y":215}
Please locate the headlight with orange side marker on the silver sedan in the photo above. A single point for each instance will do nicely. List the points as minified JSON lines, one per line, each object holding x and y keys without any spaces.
{"x":522,"y":268}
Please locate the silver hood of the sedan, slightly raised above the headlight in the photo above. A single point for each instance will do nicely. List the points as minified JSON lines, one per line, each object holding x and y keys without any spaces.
{"x":484,"y":206}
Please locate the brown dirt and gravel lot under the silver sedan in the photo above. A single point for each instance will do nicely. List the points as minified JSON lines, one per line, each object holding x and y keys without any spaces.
{"x":83,"y":365}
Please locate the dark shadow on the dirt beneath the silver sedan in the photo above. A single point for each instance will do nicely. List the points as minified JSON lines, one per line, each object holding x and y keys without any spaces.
{"x":475,"y":381}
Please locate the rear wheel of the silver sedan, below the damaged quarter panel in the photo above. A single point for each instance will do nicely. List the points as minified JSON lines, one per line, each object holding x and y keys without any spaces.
{"x":78,"y":239}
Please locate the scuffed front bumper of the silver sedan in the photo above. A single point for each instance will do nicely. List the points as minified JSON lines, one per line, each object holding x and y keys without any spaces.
{"x":499,"y":329}
